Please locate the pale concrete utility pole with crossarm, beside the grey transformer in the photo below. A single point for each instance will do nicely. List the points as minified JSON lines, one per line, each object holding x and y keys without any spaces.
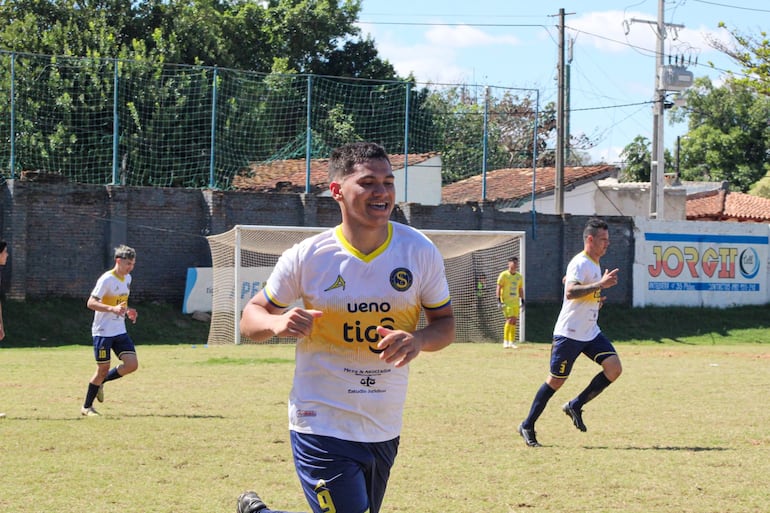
{"x":657,"y":169}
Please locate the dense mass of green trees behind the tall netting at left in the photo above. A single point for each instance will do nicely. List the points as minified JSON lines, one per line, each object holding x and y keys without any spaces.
{"x":83,"y":48}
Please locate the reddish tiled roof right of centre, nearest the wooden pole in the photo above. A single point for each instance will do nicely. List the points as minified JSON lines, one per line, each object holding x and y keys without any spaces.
{"x":516,"y":183}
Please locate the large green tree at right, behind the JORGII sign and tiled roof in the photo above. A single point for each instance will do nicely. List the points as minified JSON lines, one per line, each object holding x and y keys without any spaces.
{"x":728,"y":136}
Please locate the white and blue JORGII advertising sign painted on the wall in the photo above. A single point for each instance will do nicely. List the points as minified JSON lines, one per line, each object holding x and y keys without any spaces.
{"x":693,"y":263}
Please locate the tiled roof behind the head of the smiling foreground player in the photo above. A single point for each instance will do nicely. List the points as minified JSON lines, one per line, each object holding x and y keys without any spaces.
{"x":290,"y":175}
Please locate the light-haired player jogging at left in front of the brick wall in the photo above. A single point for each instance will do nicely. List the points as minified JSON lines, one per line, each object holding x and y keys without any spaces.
{"x":109,"y":301}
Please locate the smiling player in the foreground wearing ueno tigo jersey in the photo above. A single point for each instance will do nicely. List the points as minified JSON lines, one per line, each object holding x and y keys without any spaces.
{"x":362,"y":286}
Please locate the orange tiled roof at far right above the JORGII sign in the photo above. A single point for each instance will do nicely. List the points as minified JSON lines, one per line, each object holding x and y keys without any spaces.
{"x":722,"y":205}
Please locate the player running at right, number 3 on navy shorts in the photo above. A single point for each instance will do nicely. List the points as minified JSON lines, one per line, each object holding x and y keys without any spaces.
{"x":577,"y":331}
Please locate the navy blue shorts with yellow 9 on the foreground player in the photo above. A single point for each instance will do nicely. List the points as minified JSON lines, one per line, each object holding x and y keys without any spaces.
{"x":339,"y":475}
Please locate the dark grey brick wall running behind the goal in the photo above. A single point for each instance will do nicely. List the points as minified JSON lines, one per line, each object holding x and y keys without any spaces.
{"x":61,"y":236}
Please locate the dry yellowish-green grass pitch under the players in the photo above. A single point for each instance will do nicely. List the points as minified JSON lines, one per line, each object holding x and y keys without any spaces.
{"x":685,"y":429}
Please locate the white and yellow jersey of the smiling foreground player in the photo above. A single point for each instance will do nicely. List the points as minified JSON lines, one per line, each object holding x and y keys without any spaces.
{"x":341,"y":388}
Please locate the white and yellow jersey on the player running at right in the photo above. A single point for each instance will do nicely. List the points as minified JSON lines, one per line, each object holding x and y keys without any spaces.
{"x":578,"y":317}
